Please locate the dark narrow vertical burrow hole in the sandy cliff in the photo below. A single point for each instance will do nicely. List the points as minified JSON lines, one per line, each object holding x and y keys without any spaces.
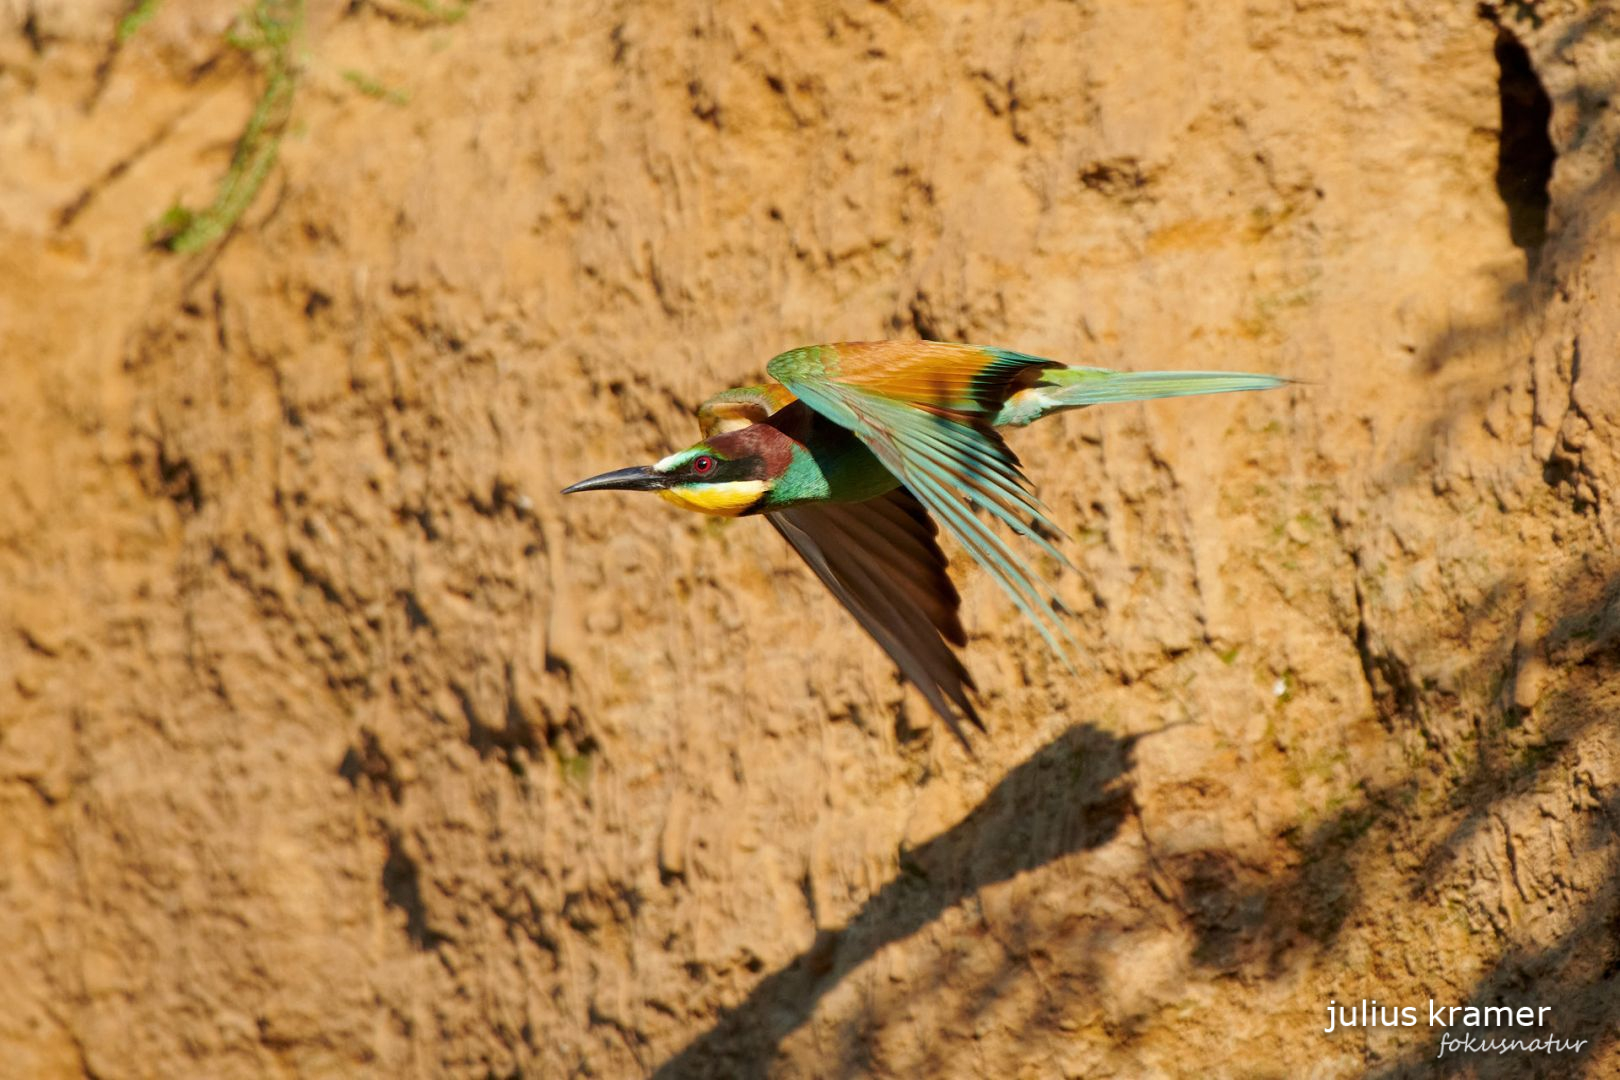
{"x":1525,"y":153}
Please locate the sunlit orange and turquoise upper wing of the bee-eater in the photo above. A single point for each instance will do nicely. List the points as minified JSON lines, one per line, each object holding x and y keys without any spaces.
{"x":926,"y":410}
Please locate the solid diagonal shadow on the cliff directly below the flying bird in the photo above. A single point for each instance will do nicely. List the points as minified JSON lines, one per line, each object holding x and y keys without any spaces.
{"x":1068,"y":797}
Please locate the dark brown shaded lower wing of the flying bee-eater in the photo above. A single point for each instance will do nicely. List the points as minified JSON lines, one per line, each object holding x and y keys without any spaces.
{"x":882,"y":563}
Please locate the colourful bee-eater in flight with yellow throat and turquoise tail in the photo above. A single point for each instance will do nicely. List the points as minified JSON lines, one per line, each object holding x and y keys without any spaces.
{"x":858,"y":449}
